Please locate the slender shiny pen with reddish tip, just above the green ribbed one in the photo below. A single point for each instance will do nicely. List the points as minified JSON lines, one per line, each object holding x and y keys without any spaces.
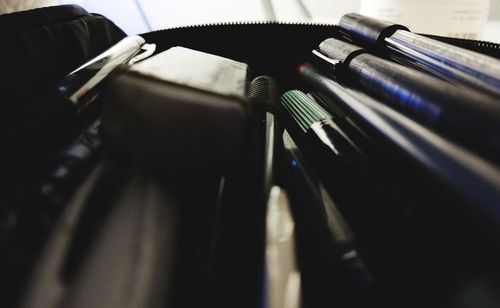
{"x":468,"y":176}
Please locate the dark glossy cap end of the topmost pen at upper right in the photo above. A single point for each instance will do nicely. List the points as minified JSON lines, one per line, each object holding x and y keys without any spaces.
{"x":368,"y":31}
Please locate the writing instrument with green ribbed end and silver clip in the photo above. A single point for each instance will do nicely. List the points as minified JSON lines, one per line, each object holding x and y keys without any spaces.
{"x":341,"y":164}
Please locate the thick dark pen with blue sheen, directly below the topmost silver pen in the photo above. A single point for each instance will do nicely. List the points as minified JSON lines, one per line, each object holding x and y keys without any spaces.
{"x":465,"y":115}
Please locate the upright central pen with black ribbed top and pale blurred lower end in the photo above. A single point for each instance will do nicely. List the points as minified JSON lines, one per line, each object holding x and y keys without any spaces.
{"x":282,"y":279}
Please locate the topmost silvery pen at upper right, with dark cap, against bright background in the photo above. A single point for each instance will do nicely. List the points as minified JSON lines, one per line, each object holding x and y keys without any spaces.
{"x":473,"y":69}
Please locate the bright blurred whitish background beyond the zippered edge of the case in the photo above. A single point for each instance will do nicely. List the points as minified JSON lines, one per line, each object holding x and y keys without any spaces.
{"x":475,"y":19}
